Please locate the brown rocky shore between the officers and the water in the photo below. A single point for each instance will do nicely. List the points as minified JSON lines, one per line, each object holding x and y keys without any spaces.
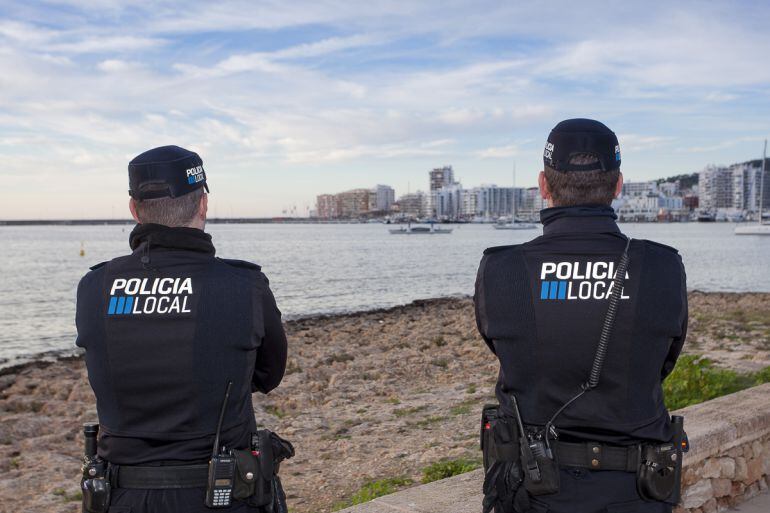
{"x":366,"y":395}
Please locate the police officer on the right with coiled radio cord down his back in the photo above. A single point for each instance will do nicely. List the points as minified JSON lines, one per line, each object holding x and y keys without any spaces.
{"x":541,"y":308}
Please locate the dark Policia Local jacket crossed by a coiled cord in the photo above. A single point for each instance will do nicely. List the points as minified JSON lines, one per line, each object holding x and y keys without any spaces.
{"x":540,"y":307}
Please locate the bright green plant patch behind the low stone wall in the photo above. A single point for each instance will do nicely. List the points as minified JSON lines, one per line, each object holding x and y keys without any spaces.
{"x":695,"y":379}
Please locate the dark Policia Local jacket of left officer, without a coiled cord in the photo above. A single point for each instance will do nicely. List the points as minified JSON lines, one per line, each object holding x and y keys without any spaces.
{"x":164,"y":329}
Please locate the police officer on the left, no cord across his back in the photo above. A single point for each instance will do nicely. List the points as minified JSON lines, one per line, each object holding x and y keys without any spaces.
{"x":165,"y":329}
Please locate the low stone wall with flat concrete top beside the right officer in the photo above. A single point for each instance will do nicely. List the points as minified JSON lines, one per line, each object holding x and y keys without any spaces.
{"x":729,"y":463}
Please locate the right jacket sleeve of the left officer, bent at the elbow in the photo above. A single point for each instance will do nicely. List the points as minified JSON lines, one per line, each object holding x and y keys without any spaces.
{"x":271,"y":358}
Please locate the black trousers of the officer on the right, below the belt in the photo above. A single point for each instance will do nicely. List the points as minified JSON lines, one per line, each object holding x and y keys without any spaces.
{"x":596,"y":491}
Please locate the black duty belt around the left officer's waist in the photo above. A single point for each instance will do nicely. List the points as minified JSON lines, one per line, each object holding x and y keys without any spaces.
{"x":158,"y":478}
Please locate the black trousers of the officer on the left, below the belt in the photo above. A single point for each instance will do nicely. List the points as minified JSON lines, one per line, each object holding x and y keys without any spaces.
{"x":186,"y":500}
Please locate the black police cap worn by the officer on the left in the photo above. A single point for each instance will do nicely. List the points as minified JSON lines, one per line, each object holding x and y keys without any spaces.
{"x":165,"y":171}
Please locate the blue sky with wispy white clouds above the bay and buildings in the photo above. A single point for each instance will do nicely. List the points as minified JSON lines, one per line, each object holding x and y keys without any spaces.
{"x":285,"y":100}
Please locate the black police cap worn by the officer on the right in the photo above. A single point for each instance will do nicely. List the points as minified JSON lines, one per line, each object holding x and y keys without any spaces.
{"x":581,"y":136}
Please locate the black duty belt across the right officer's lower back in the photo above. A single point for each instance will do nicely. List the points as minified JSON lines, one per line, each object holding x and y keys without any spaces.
{"x":597,"y":456}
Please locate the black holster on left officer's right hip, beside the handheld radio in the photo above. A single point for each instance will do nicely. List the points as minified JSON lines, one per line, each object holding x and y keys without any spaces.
{"x":256,"y":478}
